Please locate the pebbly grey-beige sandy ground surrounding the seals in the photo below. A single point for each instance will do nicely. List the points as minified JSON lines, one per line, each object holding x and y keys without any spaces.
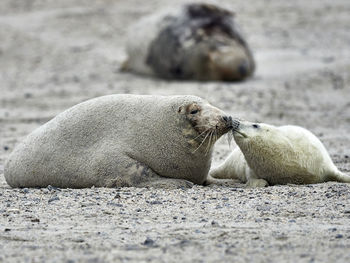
{"x":54,"y":54}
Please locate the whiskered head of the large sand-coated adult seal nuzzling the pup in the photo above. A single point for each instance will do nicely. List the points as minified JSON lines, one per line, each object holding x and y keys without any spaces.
{"x":205,"y":123}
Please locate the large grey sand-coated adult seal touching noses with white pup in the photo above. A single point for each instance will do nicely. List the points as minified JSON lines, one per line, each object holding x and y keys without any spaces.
{"x":121,"y":140}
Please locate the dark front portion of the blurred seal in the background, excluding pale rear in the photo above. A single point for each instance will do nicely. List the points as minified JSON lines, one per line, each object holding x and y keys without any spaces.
{"x":202,"y":43}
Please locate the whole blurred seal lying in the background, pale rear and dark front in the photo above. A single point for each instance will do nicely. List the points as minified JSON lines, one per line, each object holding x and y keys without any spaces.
{"x":194,"y":41}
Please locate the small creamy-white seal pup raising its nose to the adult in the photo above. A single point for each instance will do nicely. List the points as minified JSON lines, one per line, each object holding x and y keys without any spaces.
{"x":267,"y":154}
